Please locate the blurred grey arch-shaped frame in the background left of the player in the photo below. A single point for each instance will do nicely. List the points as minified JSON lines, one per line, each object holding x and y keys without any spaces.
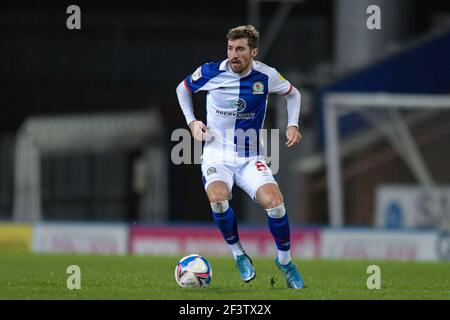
{"x":92,"y":133}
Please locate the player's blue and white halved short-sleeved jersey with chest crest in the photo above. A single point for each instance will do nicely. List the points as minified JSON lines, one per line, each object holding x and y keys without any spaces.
{"x":236,"y":105}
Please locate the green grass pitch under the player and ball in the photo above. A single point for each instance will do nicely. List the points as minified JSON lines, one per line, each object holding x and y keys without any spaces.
{"x":36,"y":276}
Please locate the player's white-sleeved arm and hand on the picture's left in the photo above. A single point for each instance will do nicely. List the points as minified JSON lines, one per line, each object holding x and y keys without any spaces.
{"x":198,"y":128}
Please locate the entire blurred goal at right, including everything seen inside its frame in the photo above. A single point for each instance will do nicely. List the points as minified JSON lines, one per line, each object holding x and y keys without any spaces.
{"x":387,"y":159}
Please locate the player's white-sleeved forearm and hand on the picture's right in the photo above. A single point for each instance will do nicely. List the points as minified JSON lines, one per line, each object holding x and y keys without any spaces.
{"x":293,"y":135}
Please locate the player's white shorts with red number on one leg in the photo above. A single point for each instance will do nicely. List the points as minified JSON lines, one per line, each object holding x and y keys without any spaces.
{"x":249,"y":175}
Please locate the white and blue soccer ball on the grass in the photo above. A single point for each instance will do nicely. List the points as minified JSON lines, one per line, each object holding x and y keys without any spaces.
{"x":193,"y":271}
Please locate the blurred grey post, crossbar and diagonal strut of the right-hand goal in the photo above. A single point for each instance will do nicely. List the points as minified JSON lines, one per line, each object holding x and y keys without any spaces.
{"x":387,"y":117}
